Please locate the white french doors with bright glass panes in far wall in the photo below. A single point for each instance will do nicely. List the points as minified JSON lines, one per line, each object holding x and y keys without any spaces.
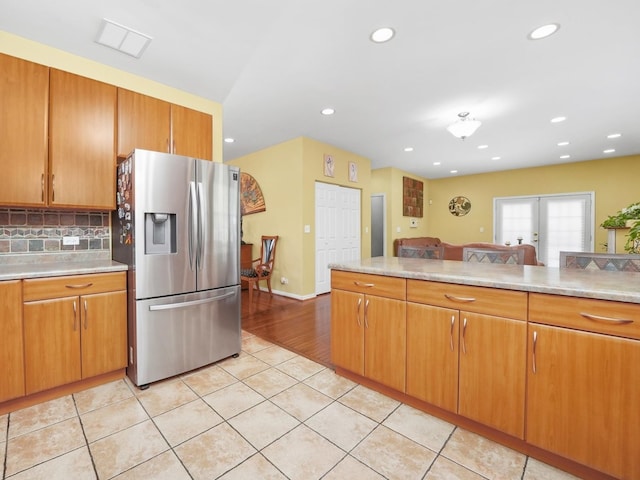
{"x":552,"y":223}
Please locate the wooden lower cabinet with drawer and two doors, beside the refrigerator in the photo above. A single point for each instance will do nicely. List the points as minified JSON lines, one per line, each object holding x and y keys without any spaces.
{"x":72,"y":338}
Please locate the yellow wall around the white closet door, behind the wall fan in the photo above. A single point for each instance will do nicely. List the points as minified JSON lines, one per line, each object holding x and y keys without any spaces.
{"x":287,"y":174}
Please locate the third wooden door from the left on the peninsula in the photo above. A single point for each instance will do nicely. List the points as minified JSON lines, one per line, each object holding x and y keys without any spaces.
{"x":432,"y":355}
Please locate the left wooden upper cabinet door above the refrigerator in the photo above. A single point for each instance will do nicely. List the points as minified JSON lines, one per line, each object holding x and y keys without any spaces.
{"x":143,"y":122}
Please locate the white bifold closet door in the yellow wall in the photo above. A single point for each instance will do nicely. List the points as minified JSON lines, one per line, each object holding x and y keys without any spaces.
{"x":338,"y":213}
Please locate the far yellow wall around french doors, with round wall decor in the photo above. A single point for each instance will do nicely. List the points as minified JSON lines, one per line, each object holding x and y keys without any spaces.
{"x":615,"y":182}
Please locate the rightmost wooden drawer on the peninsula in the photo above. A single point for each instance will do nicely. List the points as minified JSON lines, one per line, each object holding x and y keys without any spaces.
{"x":600,"y":316}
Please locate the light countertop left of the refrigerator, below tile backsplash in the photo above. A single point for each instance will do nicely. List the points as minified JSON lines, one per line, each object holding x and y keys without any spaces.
{"x":17,"y":267}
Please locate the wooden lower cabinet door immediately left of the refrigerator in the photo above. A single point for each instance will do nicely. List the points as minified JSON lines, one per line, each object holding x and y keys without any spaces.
{"x":104,"y":333}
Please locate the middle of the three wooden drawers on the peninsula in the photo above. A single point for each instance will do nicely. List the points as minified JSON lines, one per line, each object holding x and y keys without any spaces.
{"x":489,"y":301}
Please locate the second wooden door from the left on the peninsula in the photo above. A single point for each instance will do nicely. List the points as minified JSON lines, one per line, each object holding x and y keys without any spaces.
{"x":385,"y":341}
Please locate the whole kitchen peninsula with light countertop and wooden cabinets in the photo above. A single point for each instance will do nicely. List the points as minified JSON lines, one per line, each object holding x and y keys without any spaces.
{"x":541,"y":359}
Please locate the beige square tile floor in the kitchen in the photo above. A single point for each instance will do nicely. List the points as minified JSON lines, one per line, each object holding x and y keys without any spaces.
{"x":269,"y":414}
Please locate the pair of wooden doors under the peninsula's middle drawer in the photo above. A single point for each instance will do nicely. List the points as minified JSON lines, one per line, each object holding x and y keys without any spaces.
{"x":468,"y":363}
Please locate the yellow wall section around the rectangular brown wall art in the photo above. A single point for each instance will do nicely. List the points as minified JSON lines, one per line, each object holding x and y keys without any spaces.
{"x":389,"y":182}
